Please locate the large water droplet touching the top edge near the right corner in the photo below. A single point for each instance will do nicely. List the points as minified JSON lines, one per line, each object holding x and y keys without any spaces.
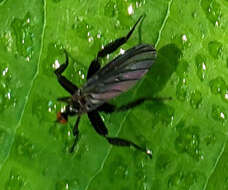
{"x":213,"y":11}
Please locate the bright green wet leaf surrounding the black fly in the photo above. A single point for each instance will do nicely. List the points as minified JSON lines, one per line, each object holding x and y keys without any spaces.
{"x":187,"y":135}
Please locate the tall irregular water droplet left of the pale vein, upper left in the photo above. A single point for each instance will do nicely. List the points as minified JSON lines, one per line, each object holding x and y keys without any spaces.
{"x":22,"y":31}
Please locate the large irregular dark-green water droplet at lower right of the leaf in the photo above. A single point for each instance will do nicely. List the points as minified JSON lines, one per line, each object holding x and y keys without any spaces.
{"x":188,"y":141}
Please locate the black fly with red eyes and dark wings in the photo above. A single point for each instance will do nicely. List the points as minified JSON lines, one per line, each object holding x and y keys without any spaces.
{"x":103,"y":84}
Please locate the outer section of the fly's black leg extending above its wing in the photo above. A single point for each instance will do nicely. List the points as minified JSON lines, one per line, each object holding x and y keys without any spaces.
{"x":111,"y":47}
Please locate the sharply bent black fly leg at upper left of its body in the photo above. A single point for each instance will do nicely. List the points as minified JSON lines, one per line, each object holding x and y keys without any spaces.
{"x":64,"y":82}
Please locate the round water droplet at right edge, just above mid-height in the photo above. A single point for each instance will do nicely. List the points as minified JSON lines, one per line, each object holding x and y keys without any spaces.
{"x":217,"y":85}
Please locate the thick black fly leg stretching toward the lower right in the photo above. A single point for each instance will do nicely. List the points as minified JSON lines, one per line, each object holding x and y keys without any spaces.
{"x":100,"y":128}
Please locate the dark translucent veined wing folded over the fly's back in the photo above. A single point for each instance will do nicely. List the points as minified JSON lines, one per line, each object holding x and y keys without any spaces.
{"x":118,"y":75}
